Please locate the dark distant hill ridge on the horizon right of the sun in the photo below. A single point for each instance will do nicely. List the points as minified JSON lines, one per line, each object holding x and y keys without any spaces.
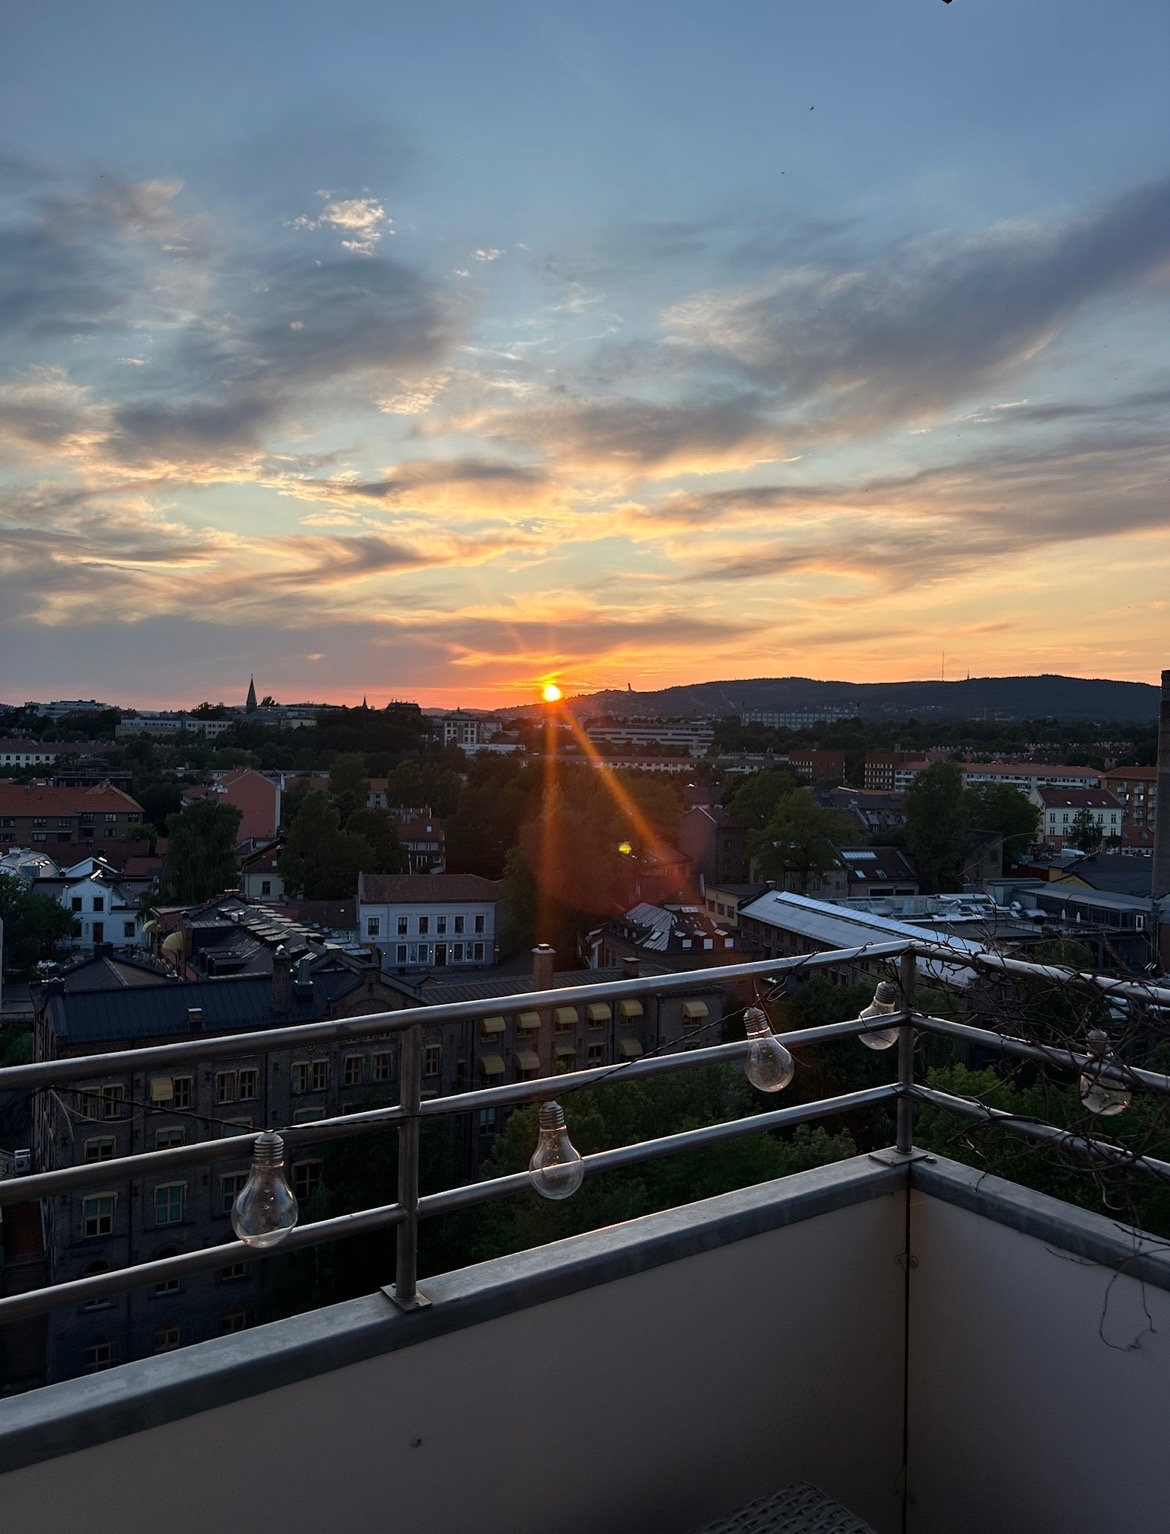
{"x":976,"y":699}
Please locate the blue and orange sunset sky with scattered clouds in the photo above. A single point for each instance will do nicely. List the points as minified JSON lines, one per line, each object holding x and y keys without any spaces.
{"x":439,"y":352}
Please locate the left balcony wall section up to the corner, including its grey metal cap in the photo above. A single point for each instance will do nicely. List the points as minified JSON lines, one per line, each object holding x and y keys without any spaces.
{"x":645,"y":1378}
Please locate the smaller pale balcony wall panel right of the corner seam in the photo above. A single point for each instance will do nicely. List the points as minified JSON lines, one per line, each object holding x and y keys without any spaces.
{"x":1040,"y":1398}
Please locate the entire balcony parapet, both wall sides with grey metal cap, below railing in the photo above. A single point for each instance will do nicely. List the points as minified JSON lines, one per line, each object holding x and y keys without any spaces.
{"x":656,"y":1375}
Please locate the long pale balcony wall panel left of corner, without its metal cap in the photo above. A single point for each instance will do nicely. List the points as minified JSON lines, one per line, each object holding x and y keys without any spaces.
{"x":645,"y":1406}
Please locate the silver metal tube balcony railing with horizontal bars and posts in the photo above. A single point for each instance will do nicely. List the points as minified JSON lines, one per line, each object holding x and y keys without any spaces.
{"x":410,"y":1113}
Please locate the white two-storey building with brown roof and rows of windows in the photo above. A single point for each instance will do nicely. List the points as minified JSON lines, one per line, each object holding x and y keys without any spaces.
{"x":429,"y":921}
